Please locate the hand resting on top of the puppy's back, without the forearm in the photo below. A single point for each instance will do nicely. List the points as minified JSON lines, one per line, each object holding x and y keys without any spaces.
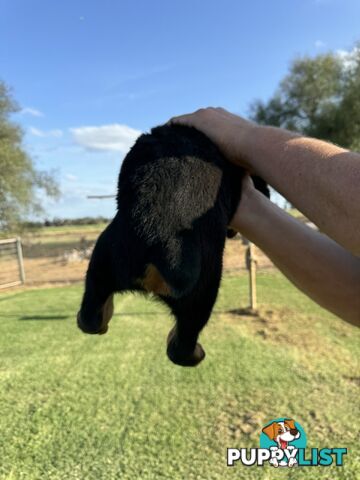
{"x":231,"y":133}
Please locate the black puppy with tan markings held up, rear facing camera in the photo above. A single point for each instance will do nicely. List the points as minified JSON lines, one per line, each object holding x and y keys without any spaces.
{"x":176,"y":197}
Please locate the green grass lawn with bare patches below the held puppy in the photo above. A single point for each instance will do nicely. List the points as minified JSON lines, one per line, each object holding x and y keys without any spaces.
{"x":113,"y":407}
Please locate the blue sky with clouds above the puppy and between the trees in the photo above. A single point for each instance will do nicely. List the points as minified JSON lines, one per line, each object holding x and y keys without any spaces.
{"x":91,"y":75}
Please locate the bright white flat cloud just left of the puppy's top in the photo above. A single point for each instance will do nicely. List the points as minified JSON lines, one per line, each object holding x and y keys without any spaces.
{"x":113,"y":137}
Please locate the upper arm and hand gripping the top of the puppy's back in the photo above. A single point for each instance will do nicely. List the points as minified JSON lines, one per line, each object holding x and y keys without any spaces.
{"x":320,"y":179}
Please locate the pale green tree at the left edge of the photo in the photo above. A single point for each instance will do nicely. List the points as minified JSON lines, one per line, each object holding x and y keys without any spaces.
{"x":20,"y":182}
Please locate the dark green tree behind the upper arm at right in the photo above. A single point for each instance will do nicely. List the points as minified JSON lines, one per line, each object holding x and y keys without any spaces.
{"x":320,"y":97}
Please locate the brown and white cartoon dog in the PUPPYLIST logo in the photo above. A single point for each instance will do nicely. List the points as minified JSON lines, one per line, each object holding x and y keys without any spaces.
{"x":282,"y":433}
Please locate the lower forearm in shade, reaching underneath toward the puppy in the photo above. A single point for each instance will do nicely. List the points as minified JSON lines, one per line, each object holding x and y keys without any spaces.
{"x":313,"y":262}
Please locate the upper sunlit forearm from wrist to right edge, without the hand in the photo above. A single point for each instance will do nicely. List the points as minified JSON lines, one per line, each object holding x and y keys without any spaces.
{"x":320,"y":179}
